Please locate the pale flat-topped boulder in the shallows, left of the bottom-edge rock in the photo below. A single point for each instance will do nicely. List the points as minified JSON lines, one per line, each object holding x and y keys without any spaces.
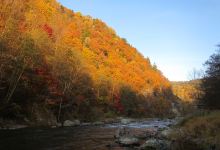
{"x":128,"y":141}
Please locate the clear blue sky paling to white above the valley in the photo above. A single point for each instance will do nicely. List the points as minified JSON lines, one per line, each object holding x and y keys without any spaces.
{"x":177,"y":35}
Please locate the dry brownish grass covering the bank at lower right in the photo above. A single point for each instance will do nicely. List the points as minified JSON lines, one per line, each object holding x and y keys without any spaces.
{"x":199,"y":131}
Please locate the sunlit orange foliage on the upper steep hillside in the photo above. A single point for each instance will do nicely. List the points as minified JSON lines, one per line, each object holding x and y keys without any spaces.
{"x":103,"y":53}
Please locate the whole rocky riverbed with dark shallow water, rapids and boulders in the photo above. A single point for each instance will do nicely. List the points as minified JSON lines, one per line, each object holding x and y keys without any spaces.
{"x":126,"y":134}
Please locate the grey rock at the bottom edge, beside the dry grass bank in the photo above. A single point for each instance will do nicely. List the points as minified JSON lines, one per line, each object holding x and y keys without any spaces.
{"x":155,"y":144}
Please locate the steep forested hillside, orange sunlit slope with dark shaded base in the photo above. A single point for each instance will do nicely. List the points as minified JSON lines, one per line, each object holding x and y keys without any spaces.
{"x":57,"y":63}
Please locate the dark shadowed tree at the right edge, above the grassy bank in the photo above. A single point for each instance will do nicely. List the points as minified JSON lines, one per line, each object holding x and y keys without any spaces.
{"x":211,"y":83}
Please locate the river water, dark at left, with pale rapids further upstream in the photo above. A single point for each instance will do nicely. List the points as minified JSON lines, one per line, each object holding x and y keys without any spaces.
{"x":73,"y":138}
